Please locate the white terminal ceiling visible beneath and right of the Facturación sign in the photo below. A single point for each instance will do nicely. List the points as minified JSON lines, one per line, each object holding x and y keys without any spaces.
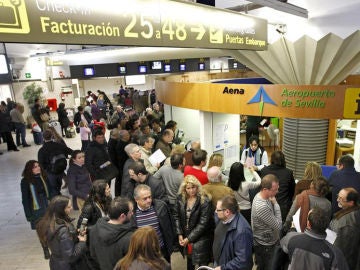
{"x":325,"y":16}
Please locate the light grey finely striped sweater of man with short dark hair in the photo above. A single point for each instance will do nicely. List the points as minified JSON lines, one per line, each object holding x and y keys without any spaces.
{"x":266,"y":221}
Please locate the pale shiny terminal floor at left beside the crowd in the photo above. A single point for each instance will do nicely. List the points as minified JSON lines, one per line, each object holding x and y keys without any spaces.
{"x":19,"y":245}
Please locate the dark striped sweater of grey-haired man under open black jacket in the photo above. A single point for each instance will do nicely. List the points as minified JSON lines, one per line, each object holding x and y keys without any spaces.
{"x":149,"y":218}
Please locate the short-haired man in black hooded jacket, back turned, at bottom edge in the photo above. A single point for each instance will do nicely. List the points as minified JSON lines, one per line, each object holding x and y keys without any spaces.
{"x":110,"y":236}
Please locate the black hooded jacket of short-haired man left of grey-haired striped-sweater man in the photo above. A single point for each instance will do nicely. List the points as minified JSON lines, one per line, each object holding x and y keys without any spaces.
{"x":109,"y":242}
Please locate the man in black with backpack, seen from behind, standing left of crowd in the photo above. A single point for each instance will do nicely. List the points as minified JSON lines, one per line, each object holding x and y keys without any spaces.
{"x":46,"y":153}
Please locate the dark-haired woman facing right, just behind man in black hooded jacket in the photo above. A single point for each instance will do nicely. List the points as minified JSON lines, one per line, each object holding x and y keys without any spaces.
{"x":97,"y":204}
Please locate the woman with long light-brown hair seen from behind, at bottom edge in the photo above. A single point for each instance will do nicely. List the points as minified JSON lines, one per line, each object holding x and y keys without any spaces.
{"x":144,"y":252}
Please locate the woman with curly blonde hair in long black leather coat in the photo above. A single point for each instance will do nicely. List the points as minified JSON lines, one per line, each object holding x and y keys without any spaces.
{"x":194,"y":222}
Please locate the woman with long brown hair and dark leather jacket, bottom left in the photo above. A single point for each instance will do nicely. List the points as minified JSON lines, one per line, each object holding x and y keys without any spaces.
{"x":56,"y":230}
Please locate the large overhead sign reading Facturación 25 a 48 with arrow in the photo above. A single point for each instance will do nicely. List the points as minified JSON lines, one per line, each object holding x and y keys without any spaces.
{"x":130,"y":22}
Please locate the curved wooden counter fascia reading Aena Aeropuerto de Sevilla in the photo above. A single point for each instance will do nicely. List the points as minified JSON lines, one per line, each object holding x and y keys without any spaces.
{"x":297,"y":101}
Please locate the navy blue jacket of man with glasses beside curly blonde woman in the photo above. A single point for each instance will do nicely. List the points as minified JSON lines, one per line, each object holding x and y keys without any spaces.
{"x":236,"y":247}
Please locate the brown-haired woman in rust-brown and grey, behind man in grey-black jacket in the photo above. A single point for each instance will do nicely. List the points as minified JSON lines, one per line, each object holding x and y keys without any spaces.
{"x":306,"y":200}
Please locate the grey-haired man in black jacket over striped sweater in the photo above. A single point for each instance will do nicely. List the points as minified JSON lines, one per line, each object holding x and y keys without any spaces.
{"x":155,"y":213}
